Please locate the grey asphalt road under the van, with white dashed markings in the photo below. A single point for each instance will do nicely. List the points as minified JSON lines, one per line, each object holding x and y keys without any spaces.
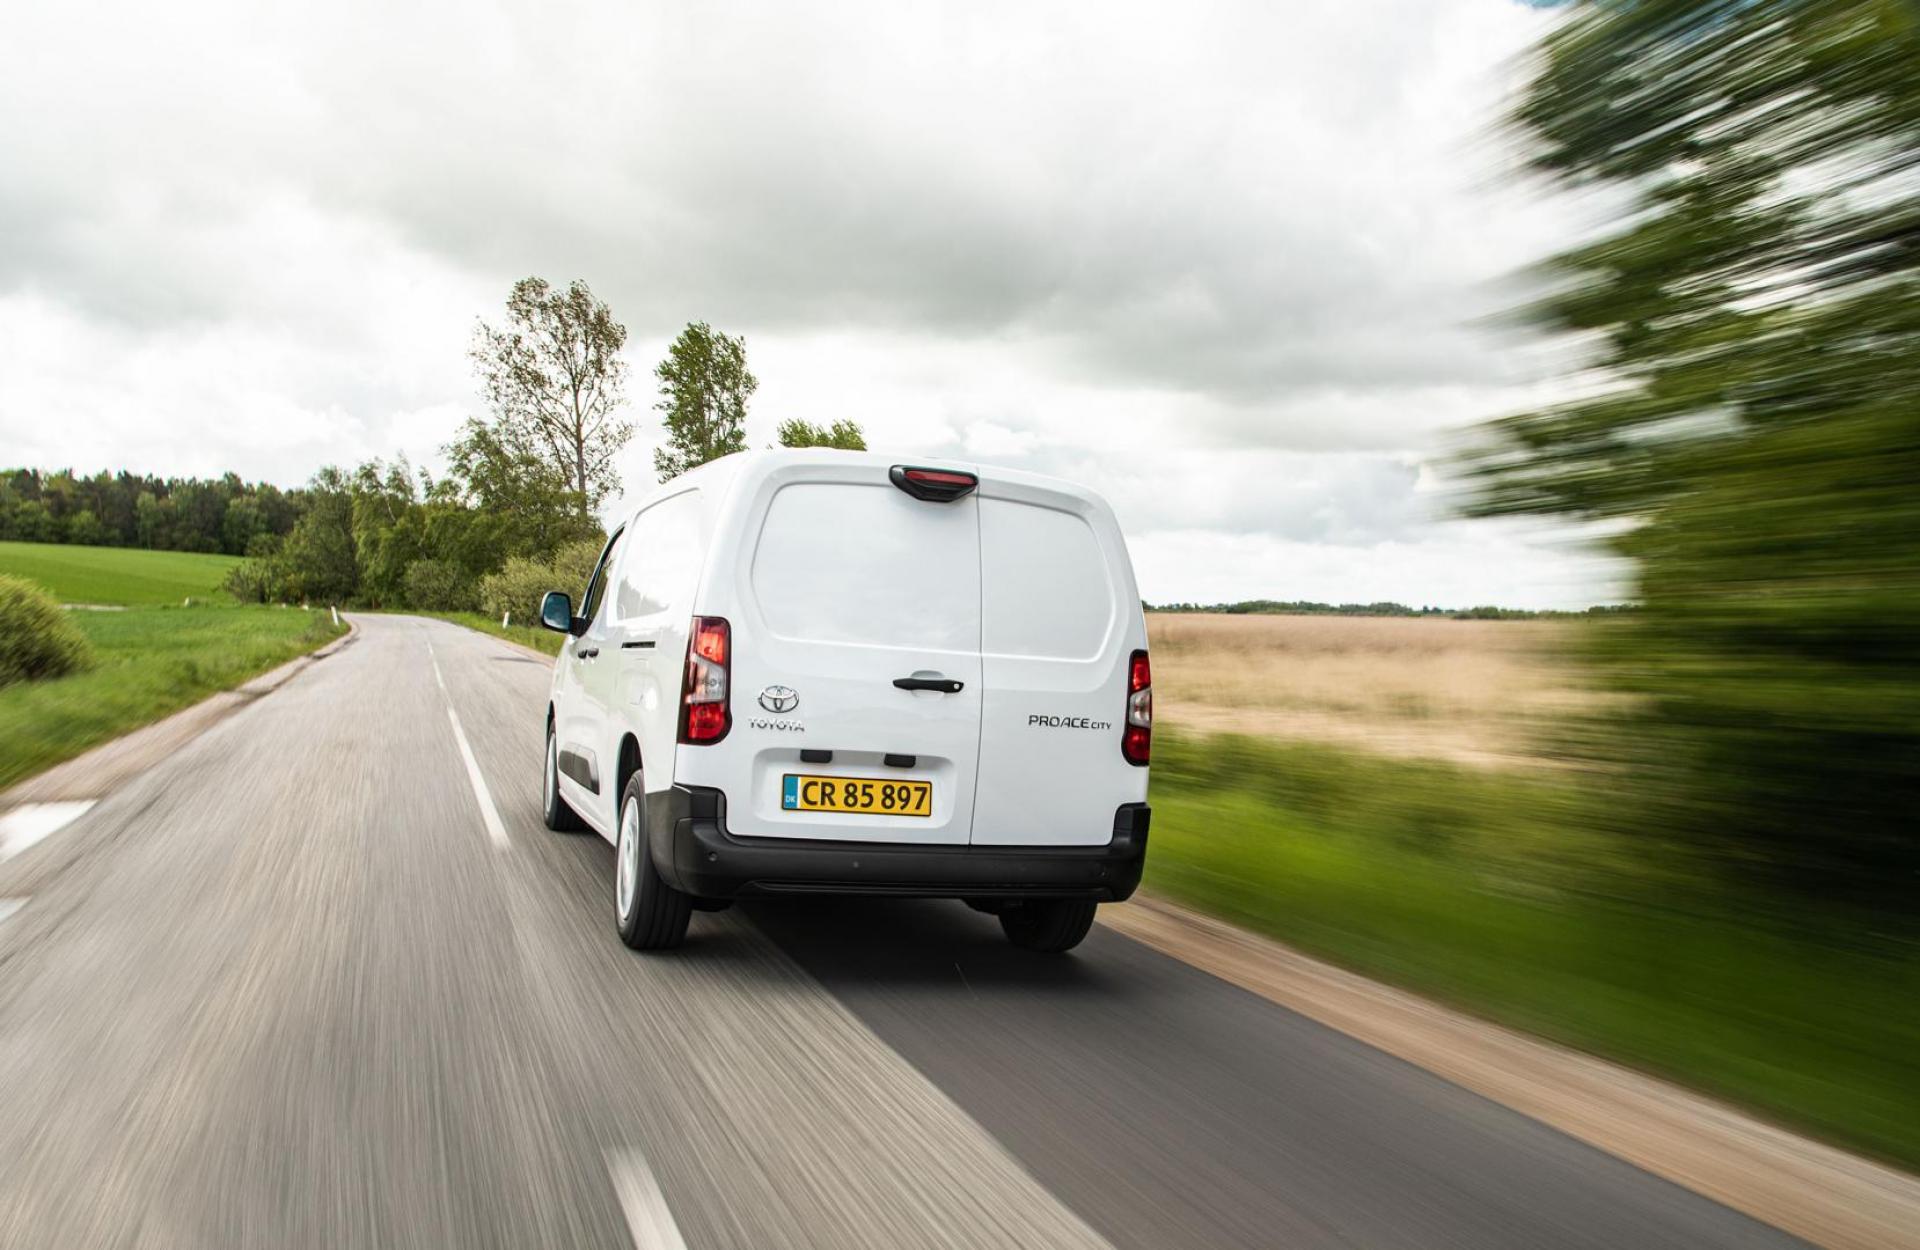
{"x":291,"y":990}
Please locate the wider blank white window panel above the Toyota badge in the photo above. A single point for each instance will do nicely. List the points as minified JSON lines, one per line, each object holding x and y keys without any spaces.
{"x":852,"y":564}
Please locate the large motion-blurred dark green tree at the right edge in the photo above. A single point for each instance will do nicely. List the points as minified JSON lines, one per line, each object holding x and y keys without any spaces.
{"x":1756,"y":437}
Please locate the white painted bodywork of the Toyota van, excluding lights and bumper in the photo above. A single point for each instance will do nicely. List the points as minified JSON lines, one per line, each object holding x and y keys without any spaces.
{"x":834,"y":585}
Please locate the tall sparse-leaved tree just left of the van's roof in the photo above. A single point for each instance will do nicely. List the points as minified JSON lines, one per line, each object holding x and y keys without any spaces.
{"x":556,"y":383}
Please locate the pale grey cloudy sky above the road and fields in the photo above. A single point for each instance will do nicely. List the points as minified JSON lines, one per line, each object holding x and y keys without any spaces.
{"x":1222,"y":262}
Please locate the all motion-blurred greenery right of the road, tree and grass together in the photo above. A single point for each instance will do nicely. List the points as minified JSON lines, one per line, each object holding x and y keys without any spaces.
{"x":1721,"y":884}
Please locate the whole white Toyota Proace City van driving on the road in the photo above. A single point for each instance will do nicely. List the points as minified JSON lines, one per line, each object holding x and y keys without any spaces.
{"x":828,"y":673}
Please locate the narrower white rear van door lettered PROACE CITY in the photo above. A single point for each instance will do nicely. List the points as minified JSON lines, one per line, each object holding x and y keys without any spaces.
{"x":1061,"y":623}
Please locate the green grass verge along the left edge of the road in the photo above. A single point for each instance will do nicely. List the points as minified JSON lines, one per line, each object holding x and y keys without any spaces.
{"x":151,"y":661}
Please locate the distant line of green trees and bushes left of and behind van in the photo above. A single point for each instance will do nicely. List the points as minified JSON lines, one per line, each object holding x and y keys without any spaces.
{"x":516,"y":508}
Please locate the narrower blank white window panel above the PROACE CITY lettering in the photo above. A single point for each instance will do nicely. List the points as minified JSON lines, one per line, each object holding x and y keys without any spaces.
{"x":1047,"y":585}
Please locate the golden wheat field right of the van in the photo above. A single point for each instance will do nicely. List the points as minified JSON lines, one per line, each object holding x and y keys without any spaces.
{"x":1481,"y":692}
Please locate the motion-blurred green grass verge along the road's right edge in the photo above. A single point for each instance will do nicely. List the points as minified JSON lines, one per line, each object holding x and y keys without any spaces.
{"x":1483,"y":890}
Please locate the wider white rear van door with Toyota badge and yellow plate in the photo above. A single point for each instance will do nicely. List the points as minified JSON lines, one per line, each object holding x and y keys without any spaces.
{"x":853,"y":587}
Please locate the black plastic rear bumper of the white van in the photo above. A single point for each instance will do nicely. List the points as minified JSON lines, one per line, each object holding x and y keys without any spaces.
{"x":694,"y":852}
